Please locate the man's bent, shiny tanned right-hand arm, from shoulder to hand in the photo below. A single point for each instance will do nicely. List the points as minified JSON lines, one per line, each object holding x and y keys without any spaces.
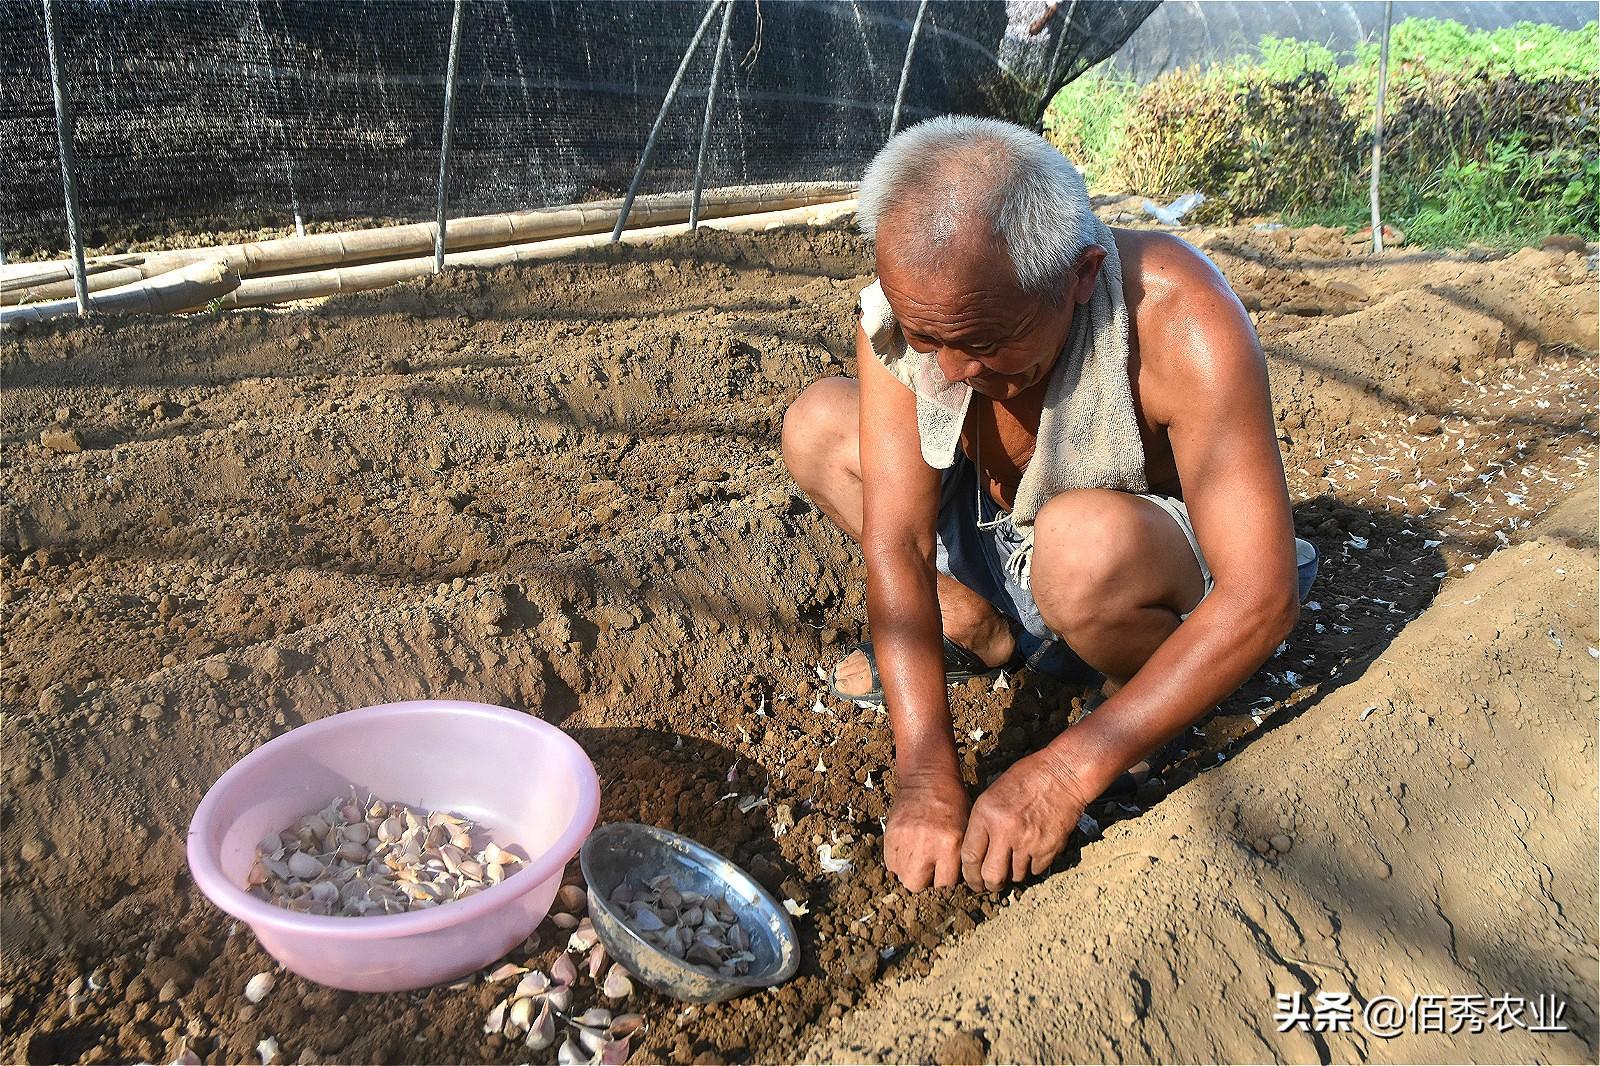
{"x":1228,"y":460}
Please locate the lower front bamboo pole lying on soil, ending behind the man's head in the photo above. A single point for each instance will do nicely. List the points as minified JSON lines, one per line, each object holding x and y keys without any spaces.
{"x":354,"y":279}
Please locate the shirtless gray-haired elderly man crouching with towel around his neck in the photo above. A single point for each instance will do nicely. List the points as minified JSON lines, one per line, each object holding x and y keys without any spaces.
{"x":1060,"y":435}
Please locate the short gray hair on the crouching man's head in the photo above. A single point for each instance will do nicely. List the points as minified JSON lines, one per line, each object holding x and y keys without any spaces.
{"x":937,"y":174}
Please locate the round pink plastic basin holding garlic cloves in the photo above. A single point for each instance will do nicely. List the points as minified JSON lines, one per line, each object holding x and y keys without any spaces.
{"x":526,"y":782}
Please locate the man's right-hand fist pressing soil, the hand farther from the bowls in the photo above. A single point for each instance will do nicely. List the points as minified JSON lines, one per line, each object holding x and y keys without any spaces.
{"x":1022,"y":822}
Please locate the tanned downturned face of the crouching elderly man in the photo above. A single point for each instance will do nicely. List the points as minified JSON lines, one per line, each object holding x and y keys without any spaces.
{"x":969,"y":310}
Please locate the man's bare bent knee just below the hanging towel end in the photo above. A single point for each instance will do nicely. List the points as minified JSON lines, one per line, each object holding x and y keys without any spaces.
{"x":1082,"y":556}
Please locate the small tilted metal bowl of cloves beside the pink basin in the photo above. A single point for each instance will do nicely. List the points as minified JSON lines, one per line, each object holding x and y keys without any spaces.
{"x":625,"y":849}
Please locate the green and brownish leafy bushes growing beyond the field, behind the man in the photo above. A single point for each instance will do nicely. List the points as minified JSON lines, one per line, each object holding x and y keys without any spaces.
{"x":1490,"y":135}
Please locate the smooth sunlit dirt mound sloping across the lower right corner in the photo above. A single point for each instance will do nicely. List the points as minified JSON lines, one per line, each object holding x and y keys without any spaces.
{"x":1428,"y":830}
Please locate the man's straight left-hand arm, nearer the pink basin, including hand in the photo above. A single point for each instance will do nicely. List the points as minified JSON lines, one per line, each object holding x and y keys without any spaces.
{"x":902,"y":503}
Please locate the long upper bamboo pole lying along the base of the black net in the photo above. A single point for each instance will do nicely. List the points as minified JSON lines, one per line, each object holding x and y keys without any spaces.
{"x":482,"y":231}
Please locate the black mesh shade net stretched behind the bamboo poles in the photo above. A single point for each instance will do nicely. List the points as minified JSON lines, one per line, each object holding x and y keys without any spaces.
{"x":239,"y":114}
